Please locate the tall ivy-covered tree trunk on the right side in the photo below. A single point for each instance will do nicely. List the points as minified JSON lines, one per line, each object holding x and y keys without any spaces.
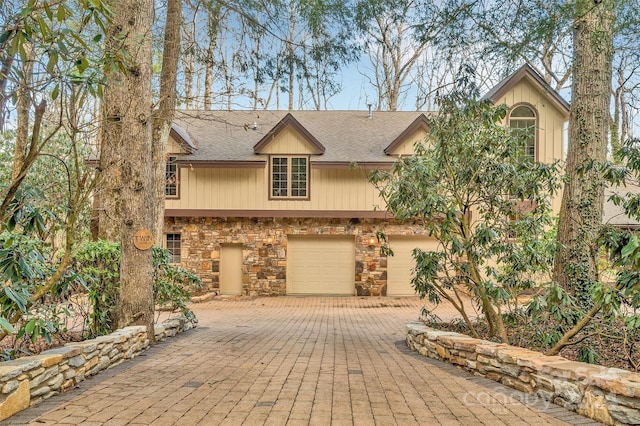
{"x":582,"y":200}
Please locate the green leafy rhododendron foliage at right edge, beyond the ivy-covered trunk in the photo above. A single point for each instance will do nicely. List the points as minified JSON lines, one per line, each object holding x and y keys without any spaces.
{"x":613,"y":301}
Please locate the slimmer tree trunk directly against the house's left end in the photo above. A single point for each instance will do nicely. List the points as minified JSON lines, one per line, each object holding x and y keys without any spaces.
{"x":164,"y":115}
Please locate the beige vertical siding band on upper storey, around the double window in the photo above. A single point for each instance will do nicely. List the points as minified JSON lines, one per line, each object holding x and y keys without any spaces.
{"x":248,"y":189}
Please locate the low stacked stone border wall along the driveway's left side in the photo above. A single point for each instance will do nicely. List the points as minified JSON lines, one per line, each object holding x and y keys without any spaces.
{"x":27,"y":381}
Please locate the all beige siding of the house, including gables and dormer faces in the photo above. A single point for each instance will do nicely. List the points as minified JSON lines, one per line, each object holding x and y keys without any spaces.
{"x":340,"y":188}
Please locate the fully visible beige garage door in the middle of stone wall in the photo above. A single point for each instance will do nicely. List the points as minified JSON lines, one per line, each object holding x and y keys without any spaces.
{"x":320,"y":265}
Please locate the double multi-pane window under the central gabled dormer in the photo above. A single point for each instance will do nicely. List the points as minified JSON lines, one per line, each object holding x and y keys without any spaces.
{"x":289,"y":177}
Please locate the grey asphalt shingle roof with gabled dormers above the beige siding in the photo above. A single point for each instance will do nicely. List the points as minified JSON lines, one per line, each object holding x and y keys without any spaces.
{"x":346,"y":135}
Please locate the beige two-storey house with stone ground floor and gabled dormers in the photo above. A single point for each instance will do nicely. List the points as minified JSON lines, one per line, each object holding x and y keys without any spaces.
{"x":268,"y":202}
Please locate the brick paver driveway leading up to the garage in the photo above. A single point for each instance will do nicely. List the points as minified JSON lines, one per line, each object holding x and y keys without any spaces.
{"x":293,"y":361}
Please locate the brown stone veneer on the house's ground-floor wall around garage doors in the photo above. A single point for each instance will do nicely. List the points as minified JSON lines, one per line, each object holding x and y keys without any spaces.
{"x":264,"y":242}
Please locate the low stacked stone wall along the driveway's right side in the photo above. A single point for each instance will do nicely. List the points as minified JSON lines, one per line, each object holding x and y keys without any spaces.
{"x":608,"y":395}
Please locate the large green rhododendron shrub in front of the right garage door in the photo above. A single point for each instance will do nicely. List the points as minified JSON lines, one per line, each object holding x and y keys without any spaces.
{"x":482,"y":199}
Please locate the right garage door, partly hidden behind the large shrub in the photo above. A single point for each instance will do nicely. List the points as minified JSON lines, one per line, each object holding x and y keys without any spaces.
{"x":400,"y":266}
